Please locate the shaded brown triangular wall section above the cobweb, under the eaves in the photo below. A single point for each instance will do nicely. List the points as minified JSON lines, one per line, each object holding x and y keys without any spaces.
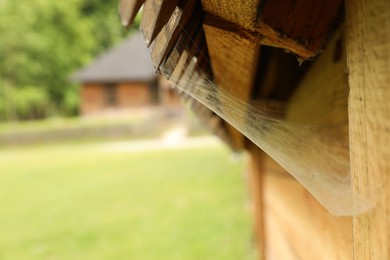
{"x":322,"y":95}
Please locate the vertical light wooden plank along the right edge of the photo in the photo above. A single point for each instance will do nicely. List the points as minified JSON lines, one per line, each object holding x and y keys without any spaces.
{"x":368,"y":57}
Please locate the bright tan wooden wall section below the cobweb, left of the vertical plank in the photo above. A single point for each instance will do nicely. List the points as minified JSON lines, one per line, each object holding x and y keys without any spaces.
{"x":296,"y":225}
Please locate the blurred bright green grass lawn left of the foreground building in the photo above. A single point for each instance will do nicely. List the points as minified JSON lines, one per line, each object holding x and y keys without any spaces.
{"x":79,"y":201}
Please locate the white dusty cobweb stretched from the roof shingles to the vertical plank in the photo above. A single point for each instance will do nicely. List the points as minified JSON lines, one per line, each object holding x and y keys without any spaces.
{"x":309,"y":151}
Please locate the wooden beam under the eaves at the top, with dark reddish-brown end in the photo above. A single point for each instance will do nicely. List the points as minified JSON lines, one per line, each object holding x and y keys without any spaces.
{"x":301,"y":27}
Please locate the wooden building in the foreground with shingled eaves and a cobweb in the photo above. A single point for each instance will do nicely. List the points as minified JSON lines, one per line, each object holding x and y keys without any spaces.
{"x":322,"y":67}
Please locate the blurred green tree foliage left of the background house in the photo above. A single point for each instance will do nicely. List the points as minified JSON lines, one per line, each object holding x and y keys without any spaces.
{"x":42,"y":43}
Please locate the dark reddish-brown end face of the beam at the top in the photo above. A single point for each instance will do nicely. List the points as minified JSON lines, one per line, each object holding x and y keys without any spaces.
{"x":308,"y":23}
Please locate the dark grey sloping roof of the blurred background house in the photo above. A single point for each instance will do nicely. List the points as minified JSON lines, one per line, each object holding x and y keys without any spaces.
{"x":129,"y":61}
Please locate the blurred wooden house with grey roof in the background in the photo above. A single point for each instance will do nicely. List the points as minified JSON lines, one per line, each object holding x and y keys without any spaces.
{"x":123,"y":81}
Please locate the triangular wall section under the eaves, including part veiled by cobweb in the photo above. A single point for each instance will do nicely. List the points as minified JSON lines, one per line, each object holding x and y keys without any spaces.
{"x":318,"y":112}
